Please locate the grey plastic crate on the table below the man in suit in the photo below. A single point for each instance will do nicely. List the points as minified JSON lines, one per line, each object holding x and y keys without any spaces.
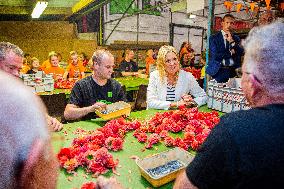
{"x":226,"y":97}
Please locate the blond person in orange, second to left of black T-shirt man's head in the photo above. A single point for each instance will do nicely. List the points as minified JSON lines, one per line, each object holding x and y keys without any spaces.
{"x":55,"y":69}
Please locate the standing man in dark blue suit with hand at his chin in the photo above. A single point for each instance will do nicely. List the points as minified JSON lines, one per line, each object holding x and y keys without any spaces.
{"x":225,"y":52}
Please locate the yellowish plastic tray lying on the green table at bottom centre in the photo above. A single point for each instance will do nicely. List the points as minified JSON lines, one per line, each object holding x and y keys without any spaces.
{"x":160,"y":159}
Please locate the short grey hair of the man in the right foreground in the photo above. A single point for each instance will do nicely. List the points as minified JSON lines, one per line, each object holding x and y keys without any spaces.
{"x":264,"y":55}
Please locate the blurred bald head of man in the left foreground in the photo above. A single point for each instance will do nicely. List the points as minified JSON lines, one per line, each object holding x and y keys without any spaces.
{"x":26,"y":157}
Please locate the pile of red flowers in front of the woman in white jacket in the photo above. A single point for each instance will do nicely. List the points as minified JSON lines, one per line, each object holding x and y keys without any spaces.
{"x":195,"y":125}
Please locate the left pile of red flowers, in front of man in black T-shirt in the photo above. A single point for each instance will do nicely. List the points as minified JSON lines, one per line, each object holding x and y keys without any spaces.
{"x":90,"y":149}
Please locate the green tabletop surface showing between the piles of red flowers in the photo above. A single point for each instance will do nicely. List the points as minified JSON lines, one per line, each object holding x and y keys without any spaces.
{"x":129,"y":173}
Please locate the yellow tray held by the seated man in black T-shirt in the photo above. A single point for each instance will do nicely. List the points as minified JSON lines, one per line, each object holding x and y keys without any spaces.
{"x":124,"y":109}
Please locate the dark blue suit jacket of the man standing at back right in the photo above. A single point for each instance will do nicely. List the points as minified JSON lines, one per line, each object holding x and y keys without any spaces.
{"x":218,"y":52}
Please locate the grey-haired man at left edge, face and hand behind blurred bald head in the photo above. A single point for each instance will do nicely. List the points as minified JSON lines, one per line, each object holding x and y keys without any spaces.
{"x":11,"y":61}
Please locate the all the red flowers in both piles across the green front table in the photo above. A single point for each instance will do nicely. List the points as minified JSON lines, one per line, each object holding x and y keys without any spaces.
{"x":90,"y":149}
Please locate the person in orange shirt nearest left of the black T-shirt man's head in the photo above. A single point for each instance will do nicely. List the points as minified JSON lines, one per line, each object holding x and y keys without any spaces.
{"x":75,"y":69}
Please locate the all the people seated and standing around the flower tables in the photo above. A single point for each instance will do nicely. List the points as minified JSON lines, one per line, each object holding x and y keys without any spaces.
{"x":232,"y":155}
